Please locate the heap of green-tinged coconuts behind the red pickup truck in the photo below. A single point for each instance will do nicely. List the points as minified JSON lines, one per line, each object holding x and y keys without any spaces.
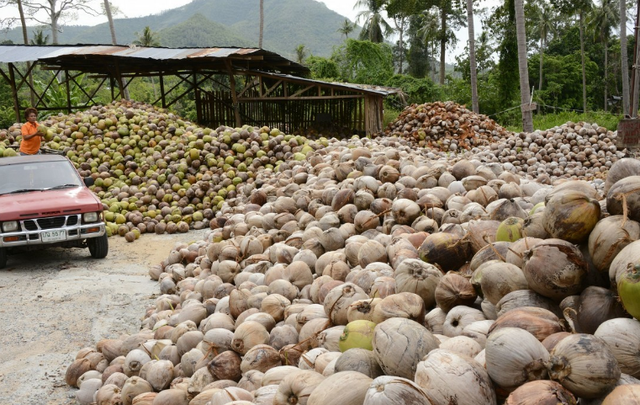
{"x":155,"y":172}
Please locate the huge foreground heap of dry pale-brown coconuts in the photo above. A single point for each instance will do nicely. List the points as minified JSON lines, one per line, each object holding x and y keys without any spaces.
{"x":375,"y":272}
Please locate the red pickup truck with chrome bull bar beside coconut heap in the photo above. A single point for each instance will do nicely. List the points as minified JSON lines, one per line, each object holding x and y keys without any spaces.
{"x":45,"y":202}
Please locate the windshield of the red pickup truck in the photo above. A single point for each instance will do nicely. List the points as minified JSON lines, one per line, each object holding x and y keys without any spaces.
{"x":37,"y":176}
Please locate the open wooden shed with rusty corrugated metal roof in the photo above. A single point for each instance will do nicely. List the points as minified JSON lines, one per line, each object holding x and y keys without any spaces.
{"x":230,"y":86}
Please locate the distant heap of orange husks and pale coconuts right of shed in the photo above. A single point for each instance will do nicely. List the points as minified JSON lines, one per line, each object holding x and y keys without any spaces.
{"x":573,"y":150}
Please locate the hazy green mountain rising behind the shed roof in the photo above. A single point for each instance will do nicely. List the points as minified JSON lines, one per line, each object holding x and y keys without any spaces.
{"x":233,"y":23}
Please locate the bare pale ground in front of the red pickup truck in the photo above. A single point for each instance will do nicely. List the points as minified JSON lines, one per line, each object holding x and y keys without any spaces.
{"x":56,"y":301}
